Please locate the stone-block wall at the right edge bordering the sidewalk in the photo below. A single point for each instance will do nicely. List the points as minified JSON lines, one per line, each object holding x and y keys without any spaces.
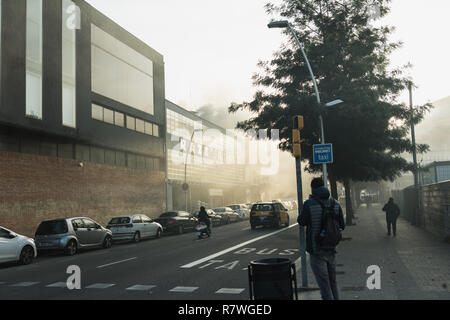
{"x":436,"y":208}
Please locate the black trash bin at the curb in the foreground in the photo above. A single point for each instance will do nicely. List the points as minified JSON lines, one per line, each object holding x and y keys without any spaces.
{"x":272,"y":279}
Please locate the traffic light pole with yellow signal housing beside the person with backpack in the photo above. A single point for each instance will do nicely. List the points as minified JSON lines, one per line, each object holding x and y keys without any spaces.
{"x":298,"y":125}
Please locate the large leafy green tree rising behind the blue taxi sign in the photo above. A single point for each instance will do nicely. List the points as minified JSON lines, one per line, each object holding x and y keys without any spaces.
{"x":350,"y":60}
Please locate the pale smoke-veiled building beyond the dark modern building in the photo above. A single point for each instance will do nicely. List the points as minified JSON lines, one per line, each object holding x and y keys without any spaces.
{"x":215,"y":178}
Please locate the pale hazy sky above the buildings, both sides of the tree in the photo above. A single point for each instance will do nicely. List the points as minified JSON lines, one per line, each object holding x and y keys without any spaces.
{"x":211,"y":47}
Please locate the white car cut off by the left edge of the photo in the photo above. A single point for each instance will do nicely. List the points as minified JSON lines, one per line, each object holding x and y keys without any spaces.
{"x":14,"y":247}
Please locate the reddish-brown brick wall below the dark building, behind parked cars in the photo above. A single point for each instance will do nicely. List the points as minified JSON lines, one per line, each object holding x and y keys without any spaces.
{"x":37,"y":188}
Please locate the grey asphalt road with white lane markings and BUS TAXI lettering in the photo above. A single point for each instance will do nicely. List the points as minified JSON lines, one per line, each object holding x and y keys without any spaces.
{"x":177,"y":267}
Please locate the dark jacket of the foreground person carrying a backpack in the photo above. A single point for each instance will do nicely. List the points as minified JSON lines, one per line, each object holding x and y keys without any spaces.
{"x":311,"y":217}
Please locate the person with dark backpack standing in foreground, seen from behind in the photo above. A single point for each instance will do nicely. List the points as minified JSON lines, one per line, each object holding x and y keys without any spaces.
{"x":322,"y":258}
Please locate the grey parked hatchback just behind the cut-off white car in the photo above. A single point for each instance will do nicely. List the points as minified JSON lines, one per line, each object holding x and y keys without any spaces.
{"x":72,"y":234}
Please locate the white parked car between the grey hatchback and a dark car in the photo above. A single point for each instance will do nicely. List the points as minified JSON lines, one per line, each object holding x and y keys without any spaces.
{"x":134,"y":228}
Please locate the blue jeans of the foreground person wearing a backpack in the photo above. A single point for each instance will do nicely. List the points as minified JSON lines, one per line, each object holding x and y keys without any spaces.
{"x":323,"y":266}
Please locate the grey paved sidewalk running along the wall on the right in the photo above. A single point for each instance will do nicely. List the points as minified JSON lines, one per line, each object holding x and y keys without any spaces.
{"x":414,"y":265}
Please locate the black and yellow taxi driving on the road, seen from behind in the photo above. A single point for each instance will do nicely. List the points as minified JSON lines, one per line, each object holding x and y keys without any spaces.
{"x":269,"y":214}
